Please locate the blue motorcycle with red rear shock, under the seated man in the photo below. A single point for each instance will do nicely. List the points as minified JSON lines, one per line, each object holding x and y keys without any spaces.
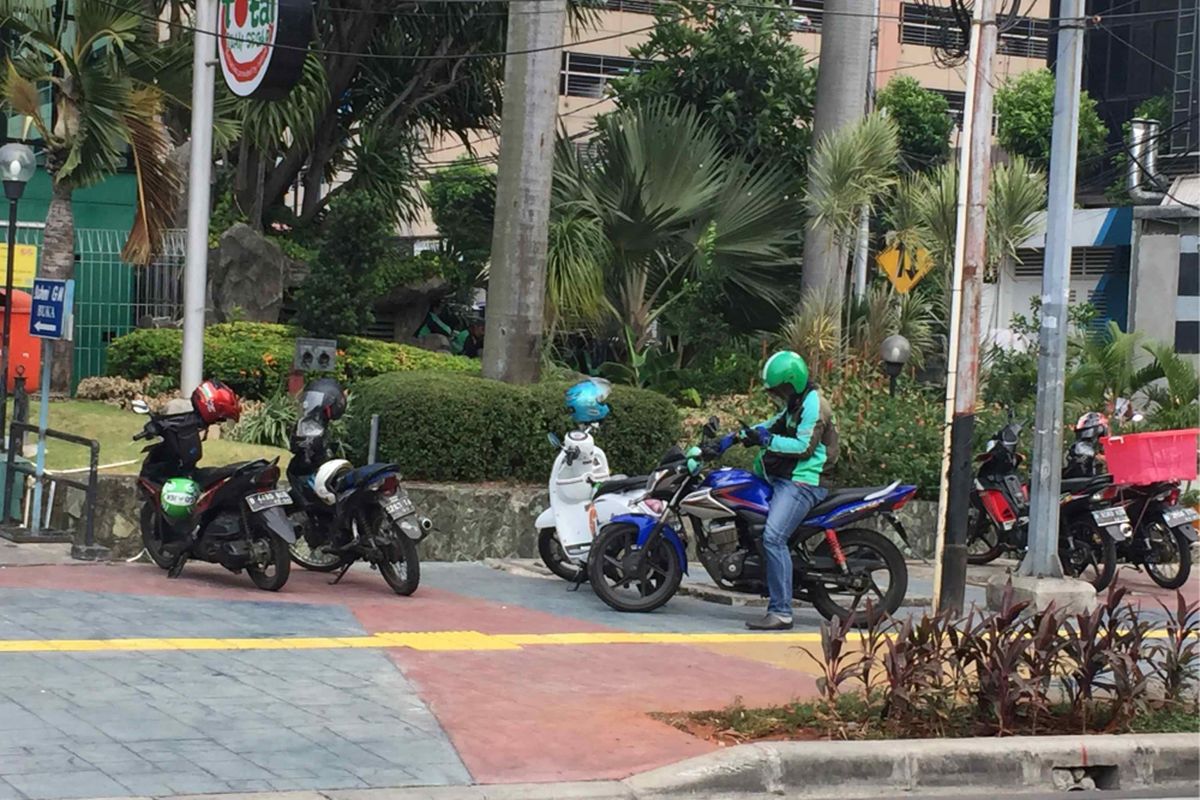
{"x":639,"y":561}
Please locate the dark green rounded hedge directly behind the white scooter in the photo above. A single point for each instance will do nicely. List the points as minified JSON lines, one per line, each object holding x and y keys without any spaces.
{"x":457,"y":428}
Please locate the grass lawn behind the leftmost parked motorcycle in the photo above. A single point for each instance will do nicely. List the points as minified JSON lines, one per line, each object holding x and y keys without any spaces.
{"x":115,"y":430}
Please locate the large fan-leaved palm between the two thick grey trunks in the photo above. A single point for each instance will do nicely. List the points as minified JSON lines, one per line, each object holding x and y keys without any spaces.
{"x":671,"y":206}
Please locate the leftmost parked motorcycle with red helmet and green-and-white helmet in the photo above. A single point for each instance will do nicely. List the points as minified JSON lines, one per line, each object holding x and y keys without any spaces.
{"x":230,"y":515}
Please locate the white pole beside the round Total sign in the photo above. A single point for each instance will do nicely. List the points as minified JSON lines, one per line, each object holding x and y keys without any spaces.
{"x":196,"y":270}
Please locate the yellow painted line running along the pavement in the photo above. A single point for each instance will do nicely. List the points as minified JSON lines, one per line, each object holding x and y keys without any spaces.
{"x":423,"y":641}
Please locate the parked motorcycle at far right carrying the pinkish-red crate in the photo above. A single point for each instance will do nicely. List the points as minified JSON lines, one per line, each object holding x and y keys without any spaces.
{"x":1162,"y":531}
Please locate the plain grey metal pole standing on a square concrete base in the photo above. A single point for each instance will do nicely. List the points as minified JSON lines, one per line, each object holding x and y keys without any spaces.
{"x":1042,"y":560}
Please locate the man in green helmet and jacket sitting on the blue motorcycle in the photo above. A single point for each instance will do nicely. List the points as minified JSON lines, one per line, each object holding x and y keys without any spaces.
{"x":800,"y":448}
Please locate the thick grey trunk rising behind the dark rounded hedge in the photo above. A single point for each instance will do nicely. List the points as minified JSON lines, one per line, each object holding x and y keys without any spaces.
{"x":517,"y":285}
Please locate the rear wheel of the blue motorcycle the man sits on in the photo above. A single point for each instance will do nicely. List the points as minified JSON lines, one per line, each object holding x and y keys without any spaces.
{"x":873,"y":558}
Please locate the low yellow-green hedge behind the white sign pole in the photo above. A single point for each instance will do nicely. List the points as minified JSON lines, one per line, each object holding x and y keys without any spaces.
{"x":255,"y":358}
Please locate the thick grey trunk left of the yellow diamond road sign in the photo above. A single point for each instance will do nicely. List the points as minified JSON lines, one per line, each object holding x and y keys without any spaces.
{"x":842,"y":86}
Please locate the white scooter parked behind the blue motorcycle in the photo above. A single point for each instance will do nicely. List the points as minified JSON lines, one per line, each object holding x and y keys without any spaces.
{"x":584,"y":497}
